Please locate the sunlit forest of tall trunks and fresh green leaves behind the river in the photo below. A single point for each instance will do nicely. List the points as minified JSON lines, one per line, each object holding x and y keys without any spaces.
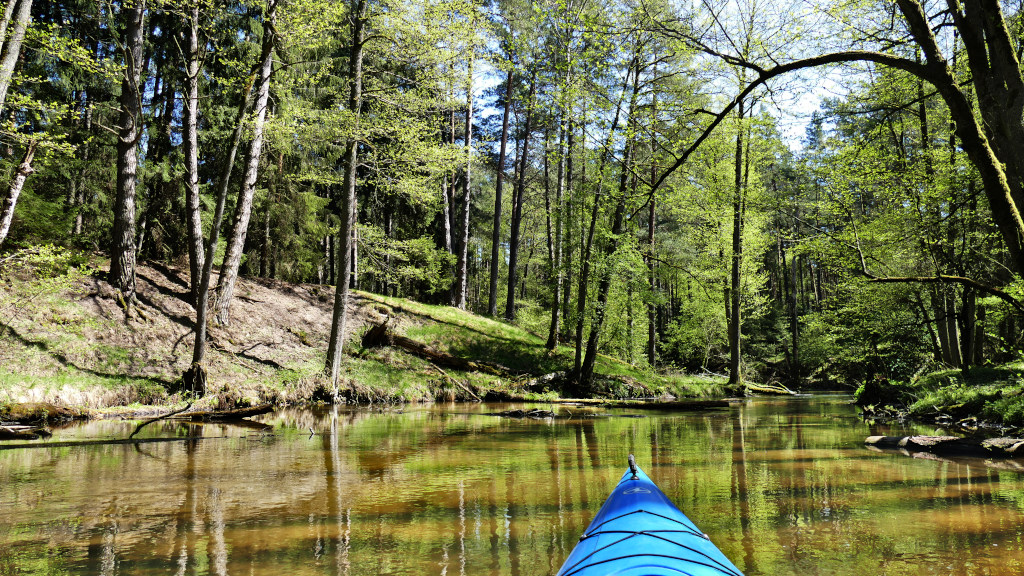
{"x":782,"y":192}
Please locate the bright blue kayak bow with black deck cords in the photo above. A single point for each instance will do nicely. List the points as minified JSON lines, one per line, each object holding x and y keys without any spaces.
{"x":639,"y":532}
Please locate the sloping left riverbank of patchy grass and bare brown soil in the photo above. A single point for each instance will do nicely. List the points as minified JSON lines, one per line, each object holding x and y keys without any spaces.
{"x":65,"y":340}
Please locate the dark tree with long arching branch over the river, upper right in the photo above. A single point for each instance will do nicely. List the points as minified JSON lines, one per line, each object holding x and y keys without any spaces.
{"x":988,"y":137}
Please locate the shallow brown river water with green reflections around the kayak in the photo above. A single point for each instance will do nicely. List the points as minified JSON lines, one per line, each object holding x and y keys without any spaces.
{"x":782,"y":486}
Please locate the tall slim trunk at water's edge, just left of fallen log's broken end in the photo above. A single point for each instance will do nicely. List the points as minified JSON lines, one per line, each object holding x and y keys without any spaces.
{"x":349,"y":199}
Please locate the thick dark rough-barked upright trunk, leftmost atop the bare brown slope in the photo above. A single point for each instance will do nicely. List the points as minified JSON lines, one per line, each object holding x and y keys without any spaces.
{"x":122,"y":272}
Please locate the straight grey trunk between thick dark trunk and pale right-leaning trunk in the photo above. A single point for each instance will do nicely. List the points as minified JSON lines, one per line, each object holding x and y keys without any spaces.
{"x":194,"y":210}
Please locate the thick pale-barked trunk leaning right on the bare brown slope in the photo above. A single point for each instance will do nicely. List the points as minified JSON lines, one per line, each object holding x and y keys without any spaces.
{"x":237,"y":242}
